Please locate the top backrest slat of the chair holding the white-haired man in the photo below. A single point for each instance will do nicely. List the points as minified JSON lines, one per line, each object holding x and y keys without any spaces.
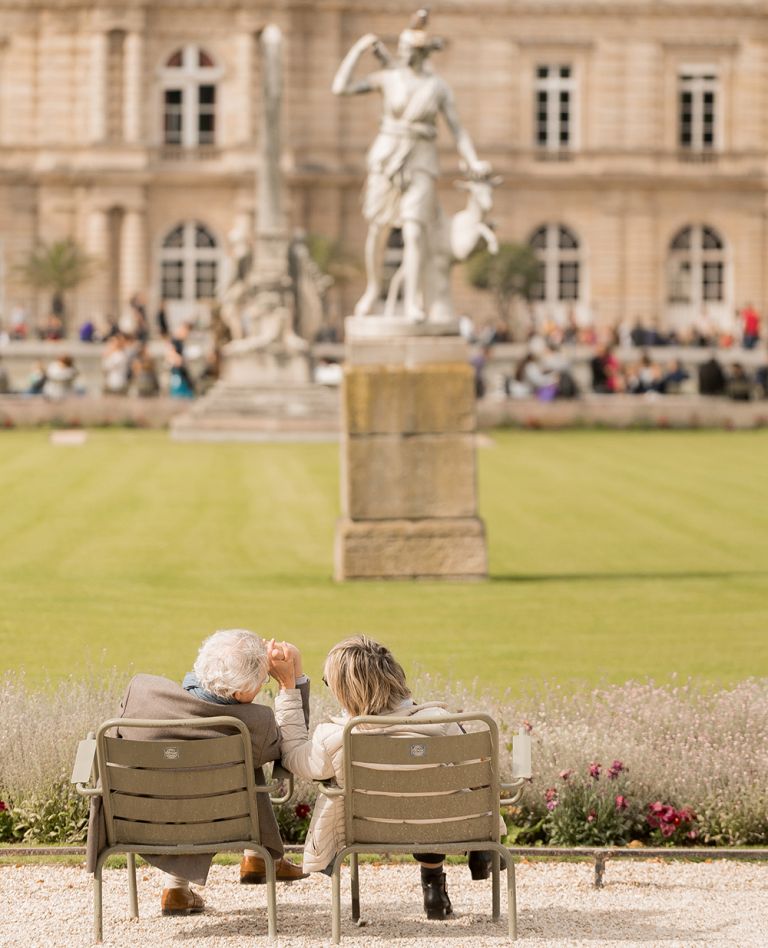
{"x":174,"y":754}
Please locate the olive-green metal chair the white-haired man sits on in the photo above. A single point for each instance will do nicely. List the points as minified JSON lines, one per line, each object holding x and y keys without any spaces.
{"x":173,"y":798}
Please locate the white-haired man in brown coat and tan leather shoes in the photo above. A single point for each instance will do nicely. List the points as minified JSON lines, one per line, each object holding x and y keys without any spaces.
{"x":231,"y":668}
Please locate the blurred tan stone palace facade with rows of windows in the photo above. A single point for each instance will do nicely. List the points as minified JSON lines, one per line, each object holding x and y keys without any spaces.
{"x":631,"y":135}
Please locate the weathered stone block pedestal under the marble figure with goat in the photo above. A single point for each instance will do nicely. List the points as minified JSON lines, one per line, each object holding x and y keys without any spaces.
{"x":409,"y":486}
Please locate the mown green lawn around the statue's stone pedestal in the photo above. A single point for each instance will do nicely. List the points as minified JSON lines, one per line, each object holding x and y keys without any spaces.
{"x":613,"y":555}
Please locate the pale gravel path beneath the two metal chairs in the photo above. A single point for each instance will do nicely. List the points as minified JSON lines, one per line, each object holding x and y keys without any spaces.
{"x":654,"y":902}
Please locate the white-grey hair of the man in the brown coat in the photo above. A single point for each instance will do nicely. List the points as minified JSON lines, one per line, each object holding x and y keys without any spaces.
{"x":231,"y":660}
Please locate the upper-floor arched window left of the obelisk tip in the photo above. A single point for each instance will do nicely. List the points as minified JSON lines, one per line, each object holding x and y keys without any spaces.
{"x":189,"y":98}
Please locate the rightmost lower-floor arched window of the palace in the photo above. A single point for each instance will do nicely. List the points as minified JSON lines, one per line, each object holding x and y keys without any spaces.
{"x":697,"y":267}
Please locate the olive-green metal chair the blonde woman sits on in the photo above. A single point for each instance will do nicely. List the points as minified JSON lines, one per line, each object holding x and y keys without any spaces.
{"x":421,"y":794}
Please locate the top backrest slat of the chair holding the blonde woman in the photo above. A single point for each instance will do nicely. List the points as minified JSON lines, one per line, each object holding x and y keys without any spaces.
{"x":394,"y":749}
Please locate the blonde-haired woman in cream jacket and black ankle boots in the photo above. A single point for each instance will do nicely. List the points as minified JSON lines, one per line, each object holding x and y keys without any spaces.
{"x":364,"y":678}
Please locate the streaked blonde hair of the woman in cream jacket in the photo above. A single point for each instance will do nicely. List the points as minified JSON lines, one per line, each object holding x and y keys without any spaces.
{"x":365,"y":677}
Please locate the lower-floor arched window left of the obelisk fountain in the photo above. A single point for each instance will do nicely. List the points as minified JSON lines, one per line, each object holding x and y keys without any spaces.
{"x":189,"y":264}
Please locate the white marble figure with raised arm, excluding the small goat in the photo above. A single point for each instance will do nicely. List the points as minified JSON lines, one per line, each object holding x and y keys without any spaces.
{"x":401,"y":186}
